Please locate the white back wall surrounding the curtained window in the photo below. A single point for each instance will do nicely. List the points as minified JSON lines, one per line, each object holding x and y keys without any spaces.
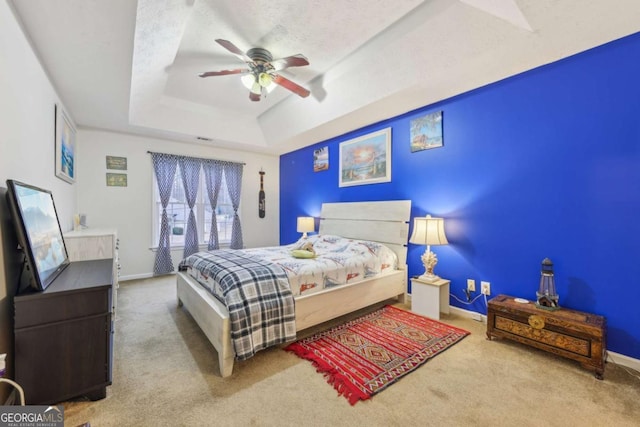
{"x":128,"y":209}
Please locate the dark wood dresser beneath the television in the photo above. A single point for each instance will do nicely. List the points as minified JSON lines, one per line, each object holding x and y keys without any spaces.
{"x":63,"y":335}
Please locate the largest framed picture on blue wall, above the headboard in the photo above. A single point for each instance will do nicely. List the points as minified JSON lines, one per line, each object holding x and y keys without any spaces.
{"x":366,"y":159}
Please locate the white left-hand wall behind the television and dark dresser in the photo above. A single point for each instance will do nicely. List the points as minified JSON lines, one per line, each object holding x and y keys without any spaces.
{"x":27,"y":123}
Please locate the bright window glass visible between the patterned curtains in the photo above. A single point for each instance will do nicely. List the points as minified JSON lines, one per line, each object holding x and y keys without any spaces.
{"x":178,"y":212}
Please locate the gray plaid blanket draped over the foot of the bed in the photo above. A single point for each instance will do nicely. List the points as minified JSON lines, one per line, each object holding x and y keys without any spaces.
{"x":257,"y":296}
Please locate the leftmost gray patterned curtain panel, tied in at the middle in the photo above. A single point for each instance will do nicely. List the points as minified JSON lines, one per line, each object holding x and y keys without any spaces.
{"x":164,"y":166}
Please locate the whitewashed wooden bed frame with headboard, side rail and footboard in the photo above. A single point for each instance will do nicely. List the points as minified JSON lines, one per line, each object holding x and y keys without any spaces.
{"x":385,"y":222}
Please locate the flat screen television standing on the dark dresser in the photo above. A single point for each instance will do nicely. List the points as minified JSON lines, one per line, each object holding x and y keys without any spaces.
{"x":38,"y":231}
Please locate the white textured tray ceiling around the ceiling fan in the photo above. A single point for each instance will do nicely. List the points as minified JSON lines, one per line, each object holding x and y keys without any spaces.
{"x":133,"y":67}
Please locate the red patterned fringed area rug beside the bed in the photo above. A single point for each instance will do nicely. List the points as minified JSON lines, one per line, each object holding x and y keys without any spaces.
{"x":368,"y":354}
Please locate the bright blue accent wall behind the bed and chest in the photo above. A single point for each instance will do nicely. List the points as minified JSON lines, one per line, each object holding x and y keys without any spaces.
{"x":542,"y":164}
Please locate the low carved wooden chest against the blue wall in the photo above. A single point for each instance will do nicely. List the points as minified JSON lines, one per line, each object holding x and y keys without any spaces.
{"x":568,"y":333}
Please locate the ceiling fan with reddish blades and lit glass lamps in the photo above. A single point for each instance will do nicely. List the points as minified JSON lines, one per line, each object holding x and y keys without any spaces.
{"x":261,"y":76}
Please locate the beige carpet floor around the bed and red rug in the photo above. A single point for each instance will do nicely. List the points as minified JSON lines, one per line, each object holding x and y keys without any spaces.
{"x":166,"y":374}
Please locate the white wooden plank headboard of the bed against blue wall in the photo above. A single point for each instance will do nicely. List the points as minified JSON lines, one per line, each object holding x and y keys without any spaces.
{"x":385,"y":222}
